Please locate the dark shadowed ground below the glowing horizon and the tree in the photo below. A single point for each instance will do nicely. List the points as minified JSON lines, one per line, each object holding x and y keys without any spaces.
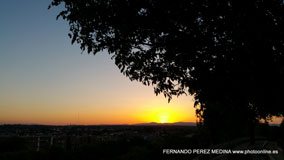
{"x":37,"y":142}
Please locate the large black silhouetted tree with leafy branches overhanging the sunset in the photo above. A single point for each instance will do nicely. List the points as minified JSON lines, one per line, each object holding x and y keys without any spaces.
{"x":228,"y":54}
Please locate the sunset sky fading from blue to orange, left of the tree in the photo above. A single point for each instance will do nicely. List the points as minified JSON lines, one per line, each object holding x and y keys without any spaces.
{"x":46,"y":80}
